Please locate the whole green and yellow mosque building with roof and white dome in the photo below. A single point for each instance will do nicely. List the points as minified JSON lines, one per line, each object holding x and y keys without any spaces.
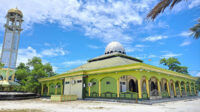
{"x":115,"y":75}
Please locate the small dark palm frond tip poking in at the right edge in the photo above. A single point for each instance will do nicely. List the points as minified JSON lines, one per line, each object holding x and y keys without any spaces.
{"x":196,"y":30}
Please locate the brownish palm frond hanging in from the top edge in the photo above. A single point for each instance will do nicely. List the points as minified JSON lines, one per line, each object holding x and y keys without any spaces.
{"x":160,"y":7}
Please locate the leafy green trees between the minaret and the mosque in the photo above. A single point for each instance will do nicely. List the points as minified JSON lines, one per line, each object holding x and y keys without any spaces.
{"x":28,"y":74}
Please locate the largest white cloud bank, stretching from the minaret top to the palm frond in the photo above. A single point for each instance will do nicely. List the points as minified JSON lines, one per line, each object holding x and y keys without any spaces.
{"x":106,"y":20}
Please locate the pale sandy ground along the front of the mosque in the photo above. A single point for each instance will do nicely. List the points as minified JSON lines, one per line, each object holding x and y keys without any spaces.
{"x":46,"y":105}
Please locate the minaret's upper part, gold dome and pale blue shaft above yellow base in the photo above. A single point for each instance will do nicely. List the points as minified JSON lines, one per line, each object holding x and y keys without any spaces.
{"x":11,"y":38}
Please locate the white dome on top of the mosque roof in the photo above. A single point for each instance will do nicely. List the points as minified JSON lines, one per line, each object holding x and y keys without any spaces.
{"x":114,"y":47}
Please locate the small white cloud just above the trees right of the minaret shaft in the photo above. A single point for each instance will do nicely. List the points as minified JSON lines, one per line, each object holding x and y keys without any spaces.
{"x":53,"y":52}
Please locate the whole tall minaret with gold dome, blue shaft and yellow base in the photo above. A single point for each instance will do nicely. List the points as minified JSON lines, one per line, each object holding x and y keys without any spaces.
{"x":10,"y":49}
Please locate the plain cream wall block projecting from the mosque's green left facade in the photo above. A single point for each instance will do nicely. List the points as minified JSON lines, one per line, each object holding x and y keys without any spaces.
{"x":73,"y":87}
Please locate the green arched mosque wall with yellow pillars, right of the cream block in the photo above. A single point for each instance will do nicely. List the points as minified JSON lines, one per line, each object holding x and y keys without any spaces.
{"x":114,"y":79}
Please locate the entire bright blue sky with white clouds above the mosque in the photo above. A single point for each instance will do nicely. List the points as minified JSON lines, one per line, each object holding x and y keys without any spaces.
{"x":69,"y":32}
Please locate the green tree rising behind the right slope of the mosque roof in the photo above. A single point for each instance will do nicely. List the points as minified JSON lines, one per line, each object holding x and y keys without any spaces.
{"x":174,"y":65}
